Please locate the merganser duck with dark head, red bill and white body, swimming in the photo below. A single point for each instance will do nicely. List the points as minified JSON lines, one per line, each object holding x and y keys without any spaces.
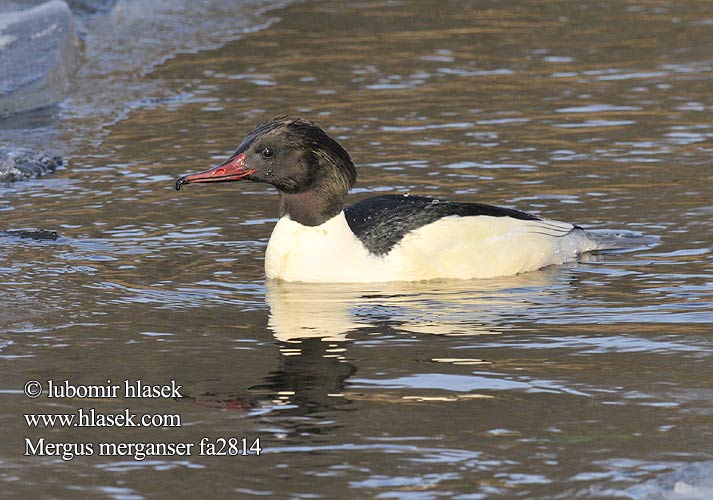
{"x":383,"y":238}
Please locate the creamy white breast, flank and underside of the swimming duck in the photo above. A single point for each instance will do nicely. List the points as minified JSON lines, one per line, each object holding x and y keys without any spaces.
{"x":452,"y":247}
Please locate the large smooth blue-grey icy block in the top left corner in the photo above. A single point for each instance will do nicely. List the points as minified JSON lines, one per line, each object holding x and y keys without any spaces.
{"x":38,"y":54}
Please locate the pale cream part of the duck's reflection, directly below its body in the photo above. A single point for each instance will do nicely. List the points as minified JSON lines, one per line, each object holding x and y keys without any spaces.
{"x":448,"y":307}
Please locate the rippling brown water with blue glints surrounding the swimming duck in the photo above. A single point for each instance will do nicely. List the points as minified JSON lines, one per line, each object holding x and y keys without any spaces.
{"x":591,"y":380}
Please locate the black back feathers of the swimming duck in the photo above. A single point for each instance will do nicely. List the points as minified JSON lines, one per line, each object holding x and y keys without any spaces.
{"x":380,"y":222}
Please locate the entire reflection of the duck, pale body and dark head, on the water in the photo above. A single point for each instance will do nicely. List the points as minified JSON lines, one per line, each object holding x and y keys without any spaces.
{"x":313,"y":323}
